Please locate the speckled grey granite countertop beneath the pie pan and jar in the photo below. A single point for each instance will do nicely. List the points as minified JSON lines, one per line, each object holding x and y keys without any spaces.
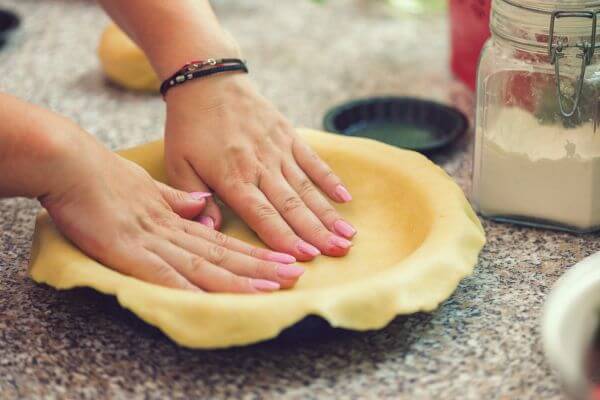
{"x":483,"y":343}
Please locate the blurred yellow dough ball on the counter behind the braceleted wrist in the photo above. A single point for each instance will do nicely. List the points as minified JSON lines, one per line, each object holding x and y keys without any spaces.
{"x":125,"y":63}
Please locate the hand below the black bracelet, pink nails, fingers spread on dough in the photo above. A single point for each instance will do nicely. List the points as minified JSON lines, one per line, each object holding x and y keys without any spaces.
{"x":222,"y":134}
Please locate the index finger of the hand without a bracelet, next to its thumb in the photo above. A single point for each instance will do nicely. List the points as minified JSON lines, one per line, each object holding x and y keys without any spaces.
{"x":214,"y":236}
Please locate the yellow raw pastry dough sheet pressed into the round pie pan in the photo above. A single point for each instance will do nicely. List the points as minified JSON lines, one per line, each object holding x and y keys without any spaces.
{"x":418,"y":237}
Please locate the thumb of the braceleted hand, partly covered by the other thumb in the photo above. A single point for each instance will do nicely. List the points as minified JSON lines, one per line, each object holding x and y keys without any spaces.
{"x":184,"y":176}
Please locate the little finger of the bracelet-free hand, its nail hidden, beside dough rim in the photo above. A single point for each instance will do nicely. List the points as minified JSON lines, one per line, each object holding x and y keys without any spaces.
{"x":150,"y":268}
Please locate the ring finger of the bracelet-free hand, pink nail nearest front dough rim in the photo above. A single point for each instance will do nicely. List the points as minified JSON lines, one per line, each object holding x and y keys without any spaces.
{"x":204,"y":274}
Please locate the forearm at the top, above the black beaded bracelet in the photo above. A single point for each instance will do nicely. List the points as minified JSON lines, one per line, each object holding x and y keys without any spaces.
{"x":172,"y":33}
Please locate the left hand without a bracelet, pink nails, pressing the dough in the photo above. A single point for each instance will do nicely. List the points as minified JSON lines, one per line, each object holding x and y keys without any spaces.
{"x":116,"y":213}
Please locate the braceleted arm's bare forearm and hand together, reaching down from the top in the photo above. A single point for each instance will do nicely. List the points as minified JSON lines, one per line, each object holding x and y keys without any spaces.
{"x":222,"y":134}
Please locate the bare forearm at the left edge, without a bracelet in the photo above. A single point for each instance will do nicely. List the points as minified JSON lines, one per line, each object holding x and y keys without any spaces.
{"x":34,"y":148}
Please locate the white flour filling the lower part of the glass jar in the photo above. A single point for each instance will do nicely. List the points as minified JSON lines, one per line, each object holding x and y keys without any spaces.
{"x":526,"y":169}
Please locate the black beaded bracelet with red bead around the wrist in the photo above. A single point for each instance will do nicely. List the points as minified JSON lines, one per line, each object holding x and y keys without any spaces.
{"x":199,"y":69}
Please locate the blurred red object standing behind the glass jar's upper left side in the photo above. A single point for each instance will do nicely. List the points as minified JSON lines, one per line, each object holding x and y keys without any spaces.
{"x":470,"y":24}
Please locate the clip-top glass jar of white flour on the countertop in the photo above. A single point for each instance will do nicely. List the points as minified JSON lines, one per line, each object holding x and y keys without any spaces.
{"x":537,"y":148}
